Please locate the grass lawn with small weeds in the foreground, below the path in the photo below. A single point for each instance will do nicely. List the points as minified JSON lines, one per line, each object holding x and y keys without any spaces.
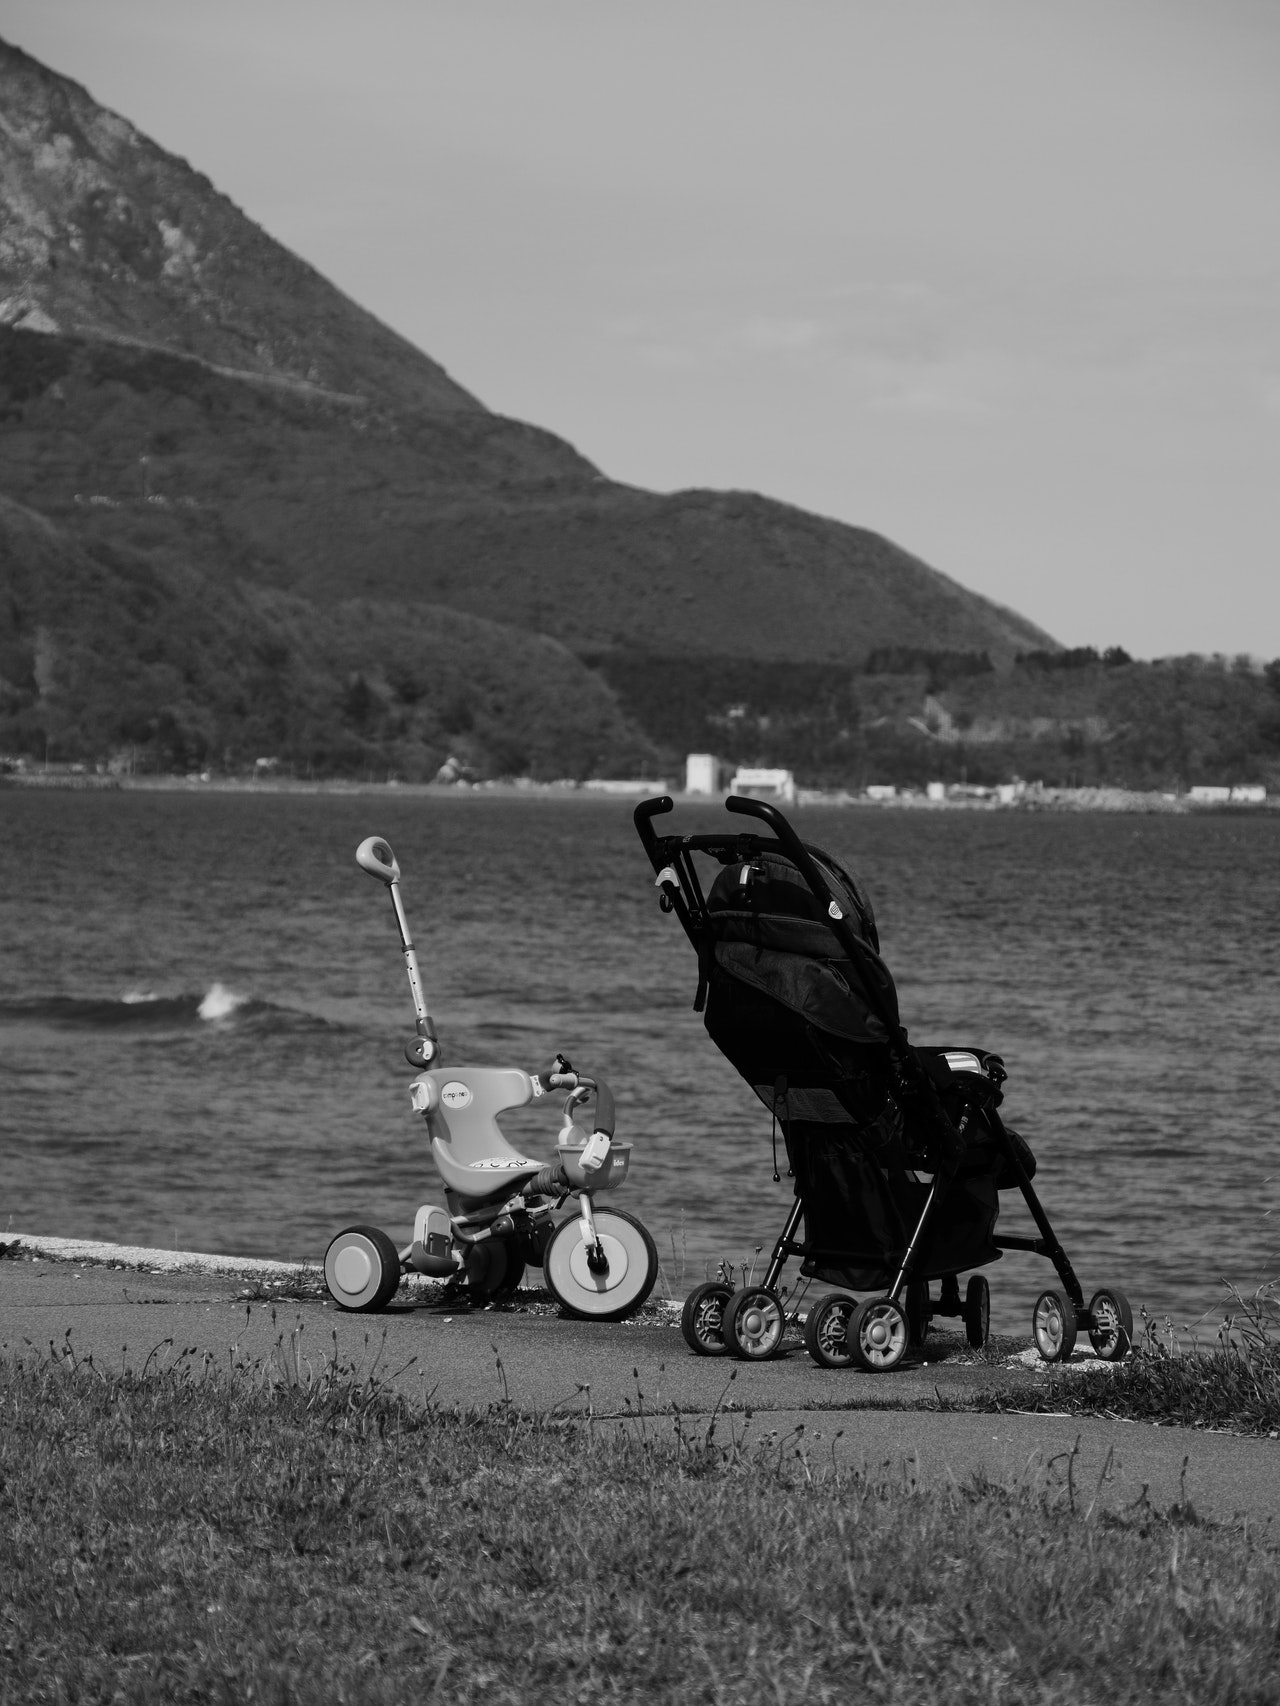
{"x":281,"y":1533}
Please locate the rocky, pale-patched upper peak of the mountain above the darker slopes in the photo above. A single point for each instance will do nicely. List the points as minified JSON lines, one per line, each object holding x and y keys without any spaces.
{"x":105,"y":235}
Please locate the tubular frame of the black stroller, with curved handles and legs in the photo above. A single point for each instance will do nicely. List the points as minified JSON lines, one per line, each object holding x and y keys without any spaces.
{"x":1107,"y":1318}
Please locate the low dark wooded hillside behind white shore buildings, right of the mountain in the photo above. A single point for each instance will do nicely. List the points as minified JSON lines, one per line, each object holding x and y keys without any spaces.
{"x":1069,"y":719}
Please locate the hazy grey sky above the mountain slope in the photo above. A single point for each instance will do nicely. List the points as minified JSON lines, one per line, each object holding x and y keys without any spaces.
{"x":999,"y":279}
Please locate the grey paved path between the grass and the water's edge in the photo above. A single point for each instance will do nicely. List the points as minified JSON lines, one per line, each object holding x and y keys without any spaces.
{"x":615,"y":1371}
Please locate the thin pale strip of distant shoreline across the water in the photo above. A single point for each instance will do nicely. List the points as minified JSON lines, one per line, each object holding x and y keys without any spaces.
{"x":1054,"y":801}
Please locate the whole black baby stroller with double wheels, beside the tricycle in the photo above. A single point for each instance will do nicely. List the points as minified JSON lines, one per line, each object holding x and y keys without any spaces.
{"x":899,"y":1152}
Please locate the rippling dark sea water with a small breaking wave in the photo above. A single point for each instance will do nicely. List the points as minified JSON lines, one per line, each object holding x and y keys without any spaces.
{"x":204,"y":1004}
